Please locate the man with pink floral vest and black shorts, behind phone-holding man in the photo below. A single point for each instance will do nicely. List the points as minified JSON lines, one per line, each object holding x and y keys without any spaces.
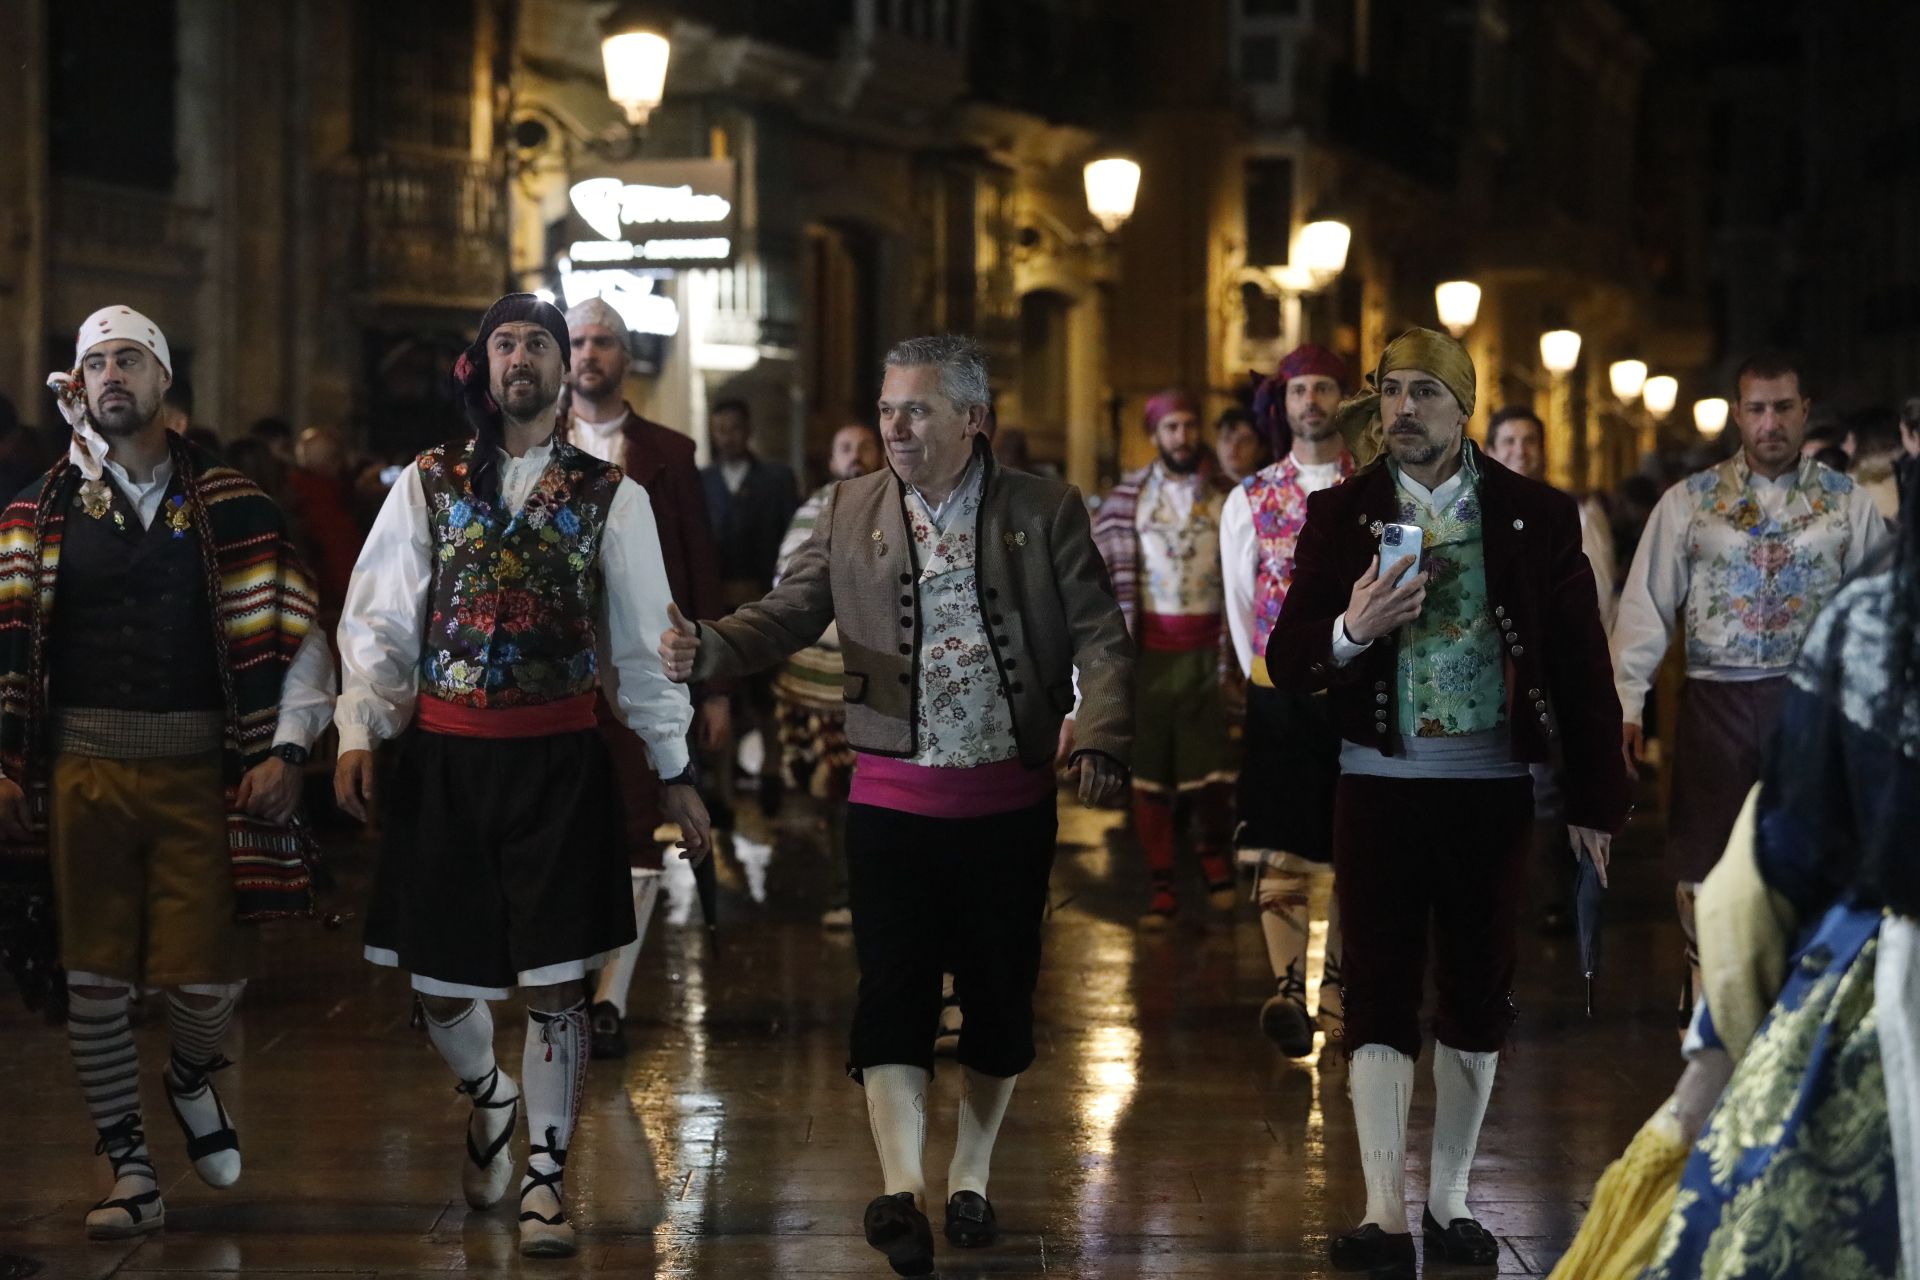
{"x":1293,"y":747}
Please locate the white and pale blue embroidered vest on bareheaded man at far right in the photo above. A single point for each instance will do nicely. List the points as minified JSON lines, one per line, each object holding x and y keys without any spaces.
{"x":1760,"y":581}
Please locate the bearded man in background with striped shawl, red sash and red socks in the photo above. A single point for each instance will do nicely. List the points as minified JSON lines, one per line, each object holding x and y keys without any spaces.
{"x":1159,"y":533}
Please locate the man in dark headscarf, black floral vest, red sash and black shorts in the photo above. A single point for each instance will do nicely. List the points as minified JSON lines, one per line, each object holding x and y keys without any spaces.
{"x":508,"y":581}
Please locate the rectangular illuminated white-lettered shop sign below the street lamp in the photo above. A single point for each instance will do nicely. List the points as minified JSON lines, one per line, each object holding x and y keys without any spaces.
{"x":654,"y":214}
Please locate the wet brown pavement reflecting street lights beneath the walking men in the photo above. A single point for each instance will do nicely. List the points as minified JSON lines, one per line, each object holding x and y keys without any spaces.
{"x":1159,"y":1135}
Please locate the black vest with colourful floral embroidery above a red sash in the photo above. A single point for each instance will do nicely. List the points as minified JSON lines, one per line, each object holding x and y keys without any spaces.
{"x":514,"y":594}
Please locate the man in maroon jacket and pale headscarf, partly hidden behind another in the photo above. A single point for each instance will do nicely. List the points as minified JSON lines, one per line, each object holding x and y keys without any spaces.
{"x":661,"y":462}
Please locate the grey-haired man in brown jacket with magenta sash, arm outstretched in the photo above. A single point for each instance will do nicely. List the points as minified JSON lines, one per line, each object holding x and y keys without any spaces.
{"x":967,"y":596}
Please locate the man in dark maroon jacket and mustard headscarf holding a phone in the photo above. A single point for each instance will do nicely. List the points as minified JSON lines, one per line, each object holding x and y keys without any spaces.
{"x":1447,"y":684}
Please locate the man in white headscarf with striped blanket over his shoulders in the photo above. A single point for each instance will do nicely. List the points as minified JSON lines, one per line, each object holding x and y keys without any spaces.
{"x":160,"y":684}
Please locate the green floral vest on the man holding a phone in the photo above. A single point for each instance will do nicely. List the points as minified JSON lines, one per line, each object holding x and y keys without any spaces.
{"x":1452,"y":678}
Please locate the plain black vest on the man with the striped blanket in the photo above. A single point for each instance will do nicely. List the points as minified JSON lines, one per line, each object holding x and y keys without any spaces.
{"x":133,"y":627}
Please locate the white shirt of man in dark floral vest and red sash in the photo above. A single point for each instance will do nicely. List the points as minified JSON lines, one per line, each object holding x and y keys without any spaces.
{"x":385,"y":623}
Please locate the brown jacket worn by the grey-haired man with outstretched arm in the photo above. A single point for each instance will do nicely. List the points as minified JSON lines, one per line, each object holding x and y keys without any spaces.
{"x":1044,"y":596}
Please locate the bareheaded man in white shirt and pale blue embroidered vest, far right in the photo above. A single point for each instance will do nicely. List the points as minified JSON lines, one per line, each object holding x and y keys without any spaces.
{"x":1750,"y":552}
